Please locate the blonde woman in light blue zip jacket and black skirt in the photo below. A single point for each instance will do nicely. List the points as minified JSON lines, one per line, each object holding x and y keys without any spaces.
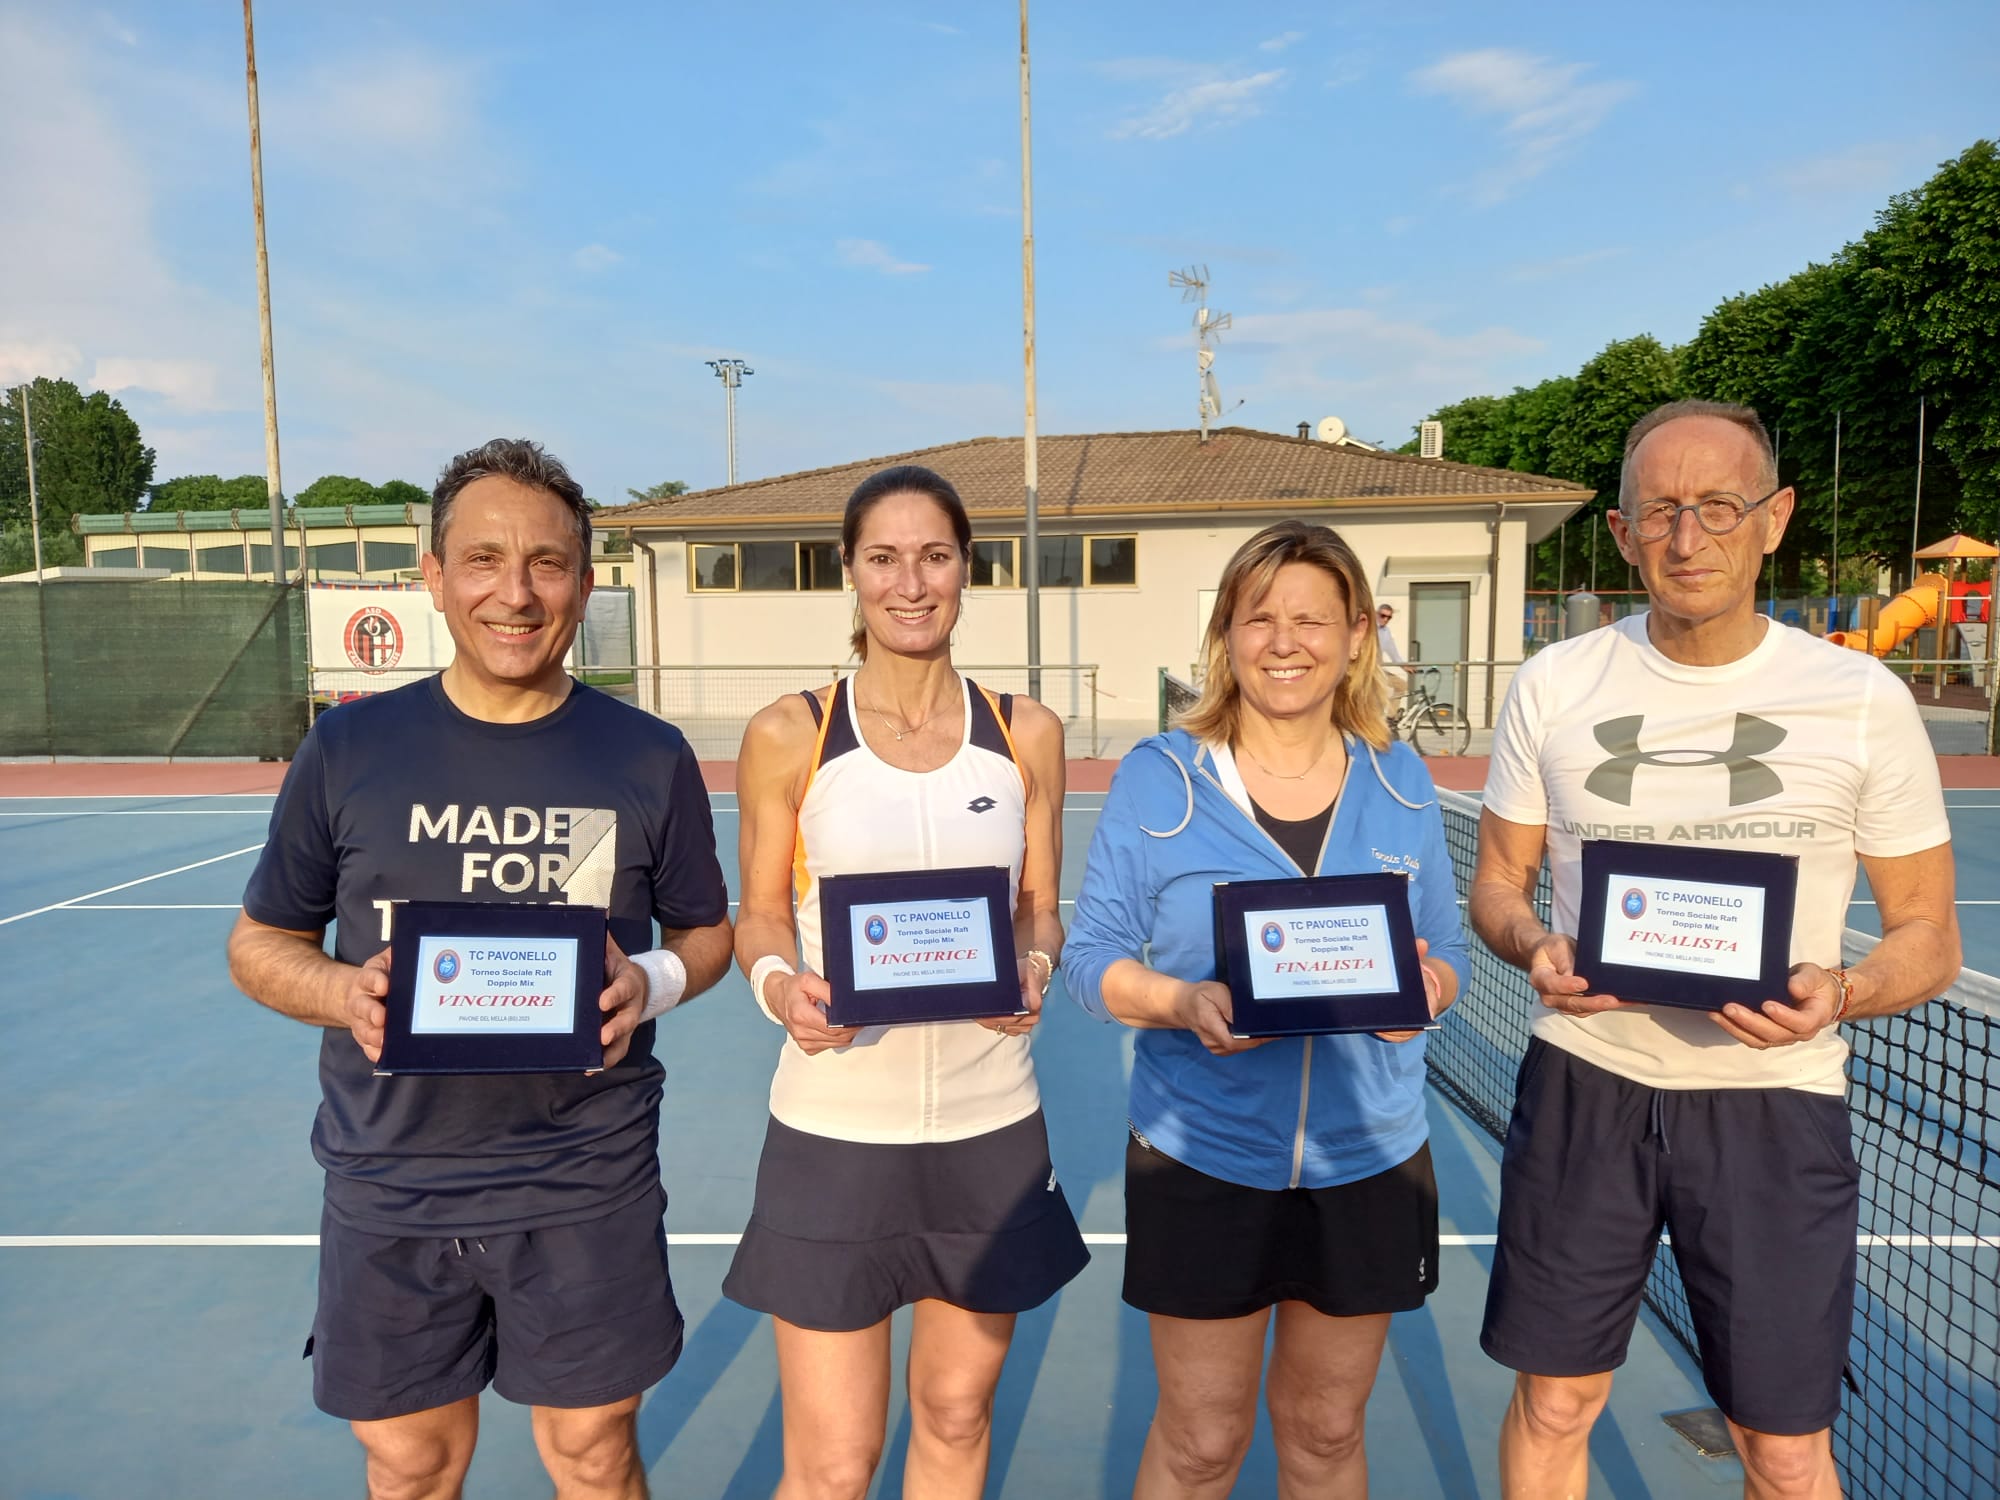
{"x":1293,"y":1173}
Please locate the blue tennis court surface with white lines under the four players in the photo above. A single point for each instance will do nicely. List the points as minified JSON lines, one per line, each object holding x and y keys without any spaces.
{"x":159,"y":1209}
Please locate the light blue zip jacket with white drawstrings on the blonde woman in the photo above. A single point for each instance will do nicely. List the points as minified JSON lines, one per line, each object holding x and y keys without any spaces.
{"x":1299,"y":1111}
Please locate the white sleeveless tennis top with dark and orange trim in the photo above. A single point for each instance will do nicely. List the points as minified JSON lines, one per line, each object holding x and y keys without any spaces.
{"x":935,"y":1081}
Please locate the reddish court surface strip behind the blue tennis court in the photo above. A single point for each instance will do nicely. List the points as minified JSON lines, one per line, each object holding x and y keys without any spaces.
{"x":239,"y":777}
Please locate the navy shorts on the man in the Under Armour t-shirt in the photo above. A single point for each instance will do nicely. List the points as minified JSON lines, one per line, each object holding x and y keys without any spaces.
{"x":1759,"y":1191}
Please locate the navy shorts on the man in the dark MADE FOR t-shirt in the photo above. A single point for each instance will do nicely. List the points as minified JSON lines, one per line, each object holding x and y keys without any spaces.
{"x":575,"y":1315}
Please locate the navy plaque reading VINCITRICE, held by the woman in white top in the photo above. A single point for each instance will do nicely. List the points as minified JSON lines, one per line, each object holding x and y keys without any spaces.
{"x":925,"y":945}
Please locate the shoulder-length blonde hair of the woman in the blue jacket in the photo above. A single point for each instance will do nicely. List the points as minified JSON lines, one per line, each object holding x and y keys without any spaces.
{"x":1361,"y":701}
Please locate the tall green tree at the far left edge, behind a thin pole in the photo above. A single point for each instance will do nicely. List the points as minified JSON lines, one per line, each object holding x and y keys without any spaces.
{"x":89,"y":459}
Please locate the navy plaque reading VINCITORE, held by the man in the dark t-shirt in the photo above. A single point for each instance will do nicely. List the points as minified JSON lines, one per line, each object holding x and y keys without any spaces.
{"x":487,"y":987}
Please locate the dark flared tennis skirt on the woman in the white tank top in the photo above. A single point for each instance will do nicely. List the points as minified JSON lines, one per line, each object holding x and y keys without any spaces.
{"x":845,"y":1233}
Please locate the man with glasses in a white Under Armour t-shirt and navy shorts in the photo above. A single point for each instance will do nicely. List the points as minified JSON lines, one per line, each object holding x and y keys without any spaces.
{"x":1699,"y":725}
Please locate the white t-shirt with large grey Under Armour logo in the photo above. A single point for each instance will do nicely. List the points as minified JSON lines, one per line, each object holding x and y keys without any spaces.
{"x":1797,"y":749}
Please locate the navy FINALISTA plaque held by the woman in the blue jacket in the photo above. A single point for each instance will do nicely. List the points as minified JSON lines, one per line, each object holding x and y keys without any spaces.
{"x":1321,"y":955}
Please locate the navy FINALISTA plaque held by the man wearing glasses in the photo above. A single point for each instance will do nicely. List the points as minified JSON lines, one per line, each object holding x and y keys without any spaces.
{"x":1673,"y":925}
